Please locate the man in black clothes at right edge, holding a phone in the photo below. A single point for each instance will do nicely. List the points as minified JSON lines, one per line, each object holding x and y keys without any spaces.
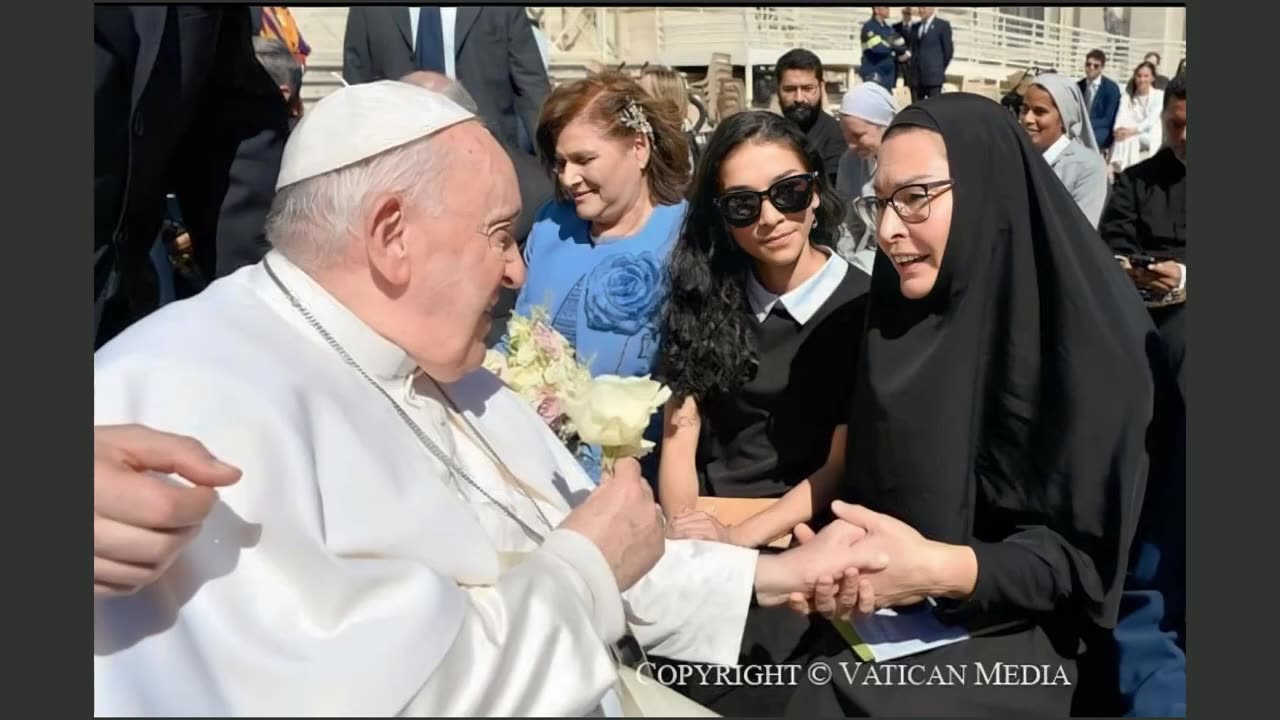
{"x":1149,"y":216}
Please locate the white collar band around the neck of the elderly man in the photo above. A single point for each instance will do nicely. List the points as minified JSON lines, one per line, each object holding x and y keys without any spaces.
{"x":377,"y":356}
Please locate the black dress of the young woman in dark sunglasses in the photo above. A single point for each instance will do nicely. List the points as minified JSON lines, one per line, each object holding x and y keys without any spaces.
{"x":770,"y":438}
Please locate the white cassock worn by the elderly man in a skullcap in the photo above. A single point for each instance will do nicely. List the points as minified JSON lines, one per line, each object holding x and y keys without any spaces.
{"x":349,"y":573}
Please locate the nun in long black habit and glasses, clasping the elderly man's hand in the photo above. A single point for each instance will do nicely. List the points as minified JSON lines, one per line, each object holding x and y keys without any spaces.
{"x":998,"y":430}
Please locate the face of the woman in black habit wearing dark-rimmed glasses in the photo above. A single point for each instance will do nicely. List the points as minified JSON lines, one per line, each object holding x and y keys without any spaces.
{"x":915,"y":226}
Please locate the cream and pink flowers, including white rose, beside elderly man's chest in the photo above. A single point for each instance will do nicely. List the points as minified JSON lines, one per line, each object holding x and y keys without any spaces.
{"x":607,"y":412}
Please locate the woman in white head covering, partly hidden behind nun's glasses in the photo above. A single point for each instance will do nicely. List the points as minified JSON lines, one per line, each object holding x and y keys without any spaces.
{"x":865,"y":113}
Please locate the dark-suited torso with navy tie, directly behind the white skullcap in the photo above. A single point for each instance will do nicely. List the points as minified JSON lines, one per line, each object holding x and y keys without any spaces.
{"x":493,"y":54}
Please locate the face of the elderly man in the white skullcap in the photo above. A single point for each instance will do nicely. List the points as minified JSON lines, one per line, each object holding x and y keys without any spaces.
{"x":461,"y":254}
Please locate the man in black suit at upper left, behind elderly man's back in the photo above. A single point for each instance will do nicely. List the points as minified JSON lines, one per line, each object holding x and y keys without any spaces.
{"x":180,"y":106}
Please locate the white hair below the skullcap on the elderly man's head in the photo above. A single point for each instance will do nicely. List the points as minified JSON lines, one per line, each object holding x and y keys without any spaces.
{"x":313,"y":222}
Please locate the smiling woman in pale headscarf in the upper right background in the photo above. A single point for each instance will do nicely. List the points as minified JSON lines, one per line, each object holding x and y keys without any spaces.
{"x":1055,"y":119}
